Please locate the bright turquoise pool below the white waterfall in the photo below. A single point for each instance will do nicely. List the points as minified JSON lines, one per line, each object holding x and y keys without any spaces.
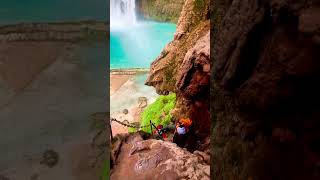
{"x":138,"y":45}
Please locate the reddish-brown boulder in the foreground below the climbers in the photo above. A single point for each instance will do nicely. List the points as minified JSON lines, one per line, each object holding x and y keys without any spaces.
{"x":159,"y":160}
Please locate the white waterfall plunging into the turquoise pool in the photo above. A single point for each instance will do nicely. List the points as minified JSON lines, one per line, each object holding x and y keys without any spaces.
{"x":122,"y":13}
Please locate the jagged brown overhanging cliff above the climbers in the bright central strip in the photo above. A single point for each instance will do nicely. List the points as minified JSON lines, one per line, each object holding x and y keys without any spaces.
{"x":184,"y":65}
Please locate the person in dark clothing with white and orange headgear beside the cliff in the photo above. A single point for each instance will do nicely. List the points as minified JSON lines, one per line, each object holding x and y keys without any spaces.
{"x":181,"y":133}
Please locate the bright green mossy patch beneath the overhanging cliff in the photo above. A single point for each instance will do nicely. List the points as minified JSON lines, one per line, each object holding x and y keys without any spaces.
{"x":158,"y":112}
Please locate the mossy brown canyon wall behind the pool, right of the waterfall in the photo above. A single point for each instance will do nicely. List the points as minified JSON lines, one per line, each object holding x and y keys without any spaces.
{"x":159,"y":10}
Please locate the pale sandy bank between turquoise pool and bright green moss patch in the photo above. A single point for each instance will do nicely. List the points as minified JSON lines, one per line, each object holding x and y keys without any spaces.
{"x":125,"y":92}
